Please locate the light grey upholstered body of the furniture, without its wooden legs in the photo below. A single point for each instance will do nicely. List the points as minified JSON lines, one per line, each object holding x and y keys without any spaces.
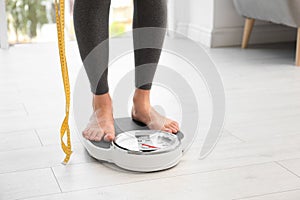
{"x":285,"y":12}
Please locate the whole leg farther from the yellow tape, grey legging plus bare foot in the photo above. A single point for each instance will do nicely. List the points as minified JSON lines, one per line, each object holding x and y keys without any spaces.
{"x":149,"y":13}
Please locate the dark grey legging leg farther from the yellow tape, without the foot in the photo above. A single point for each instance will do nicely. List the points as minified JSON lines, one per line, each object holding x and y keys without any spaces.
{"x":148,"y":14}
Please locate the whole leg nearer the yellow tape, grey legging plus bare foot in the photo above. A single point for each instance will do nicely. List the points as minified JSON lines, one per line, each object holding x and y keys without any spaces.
{"x":91,"y":22}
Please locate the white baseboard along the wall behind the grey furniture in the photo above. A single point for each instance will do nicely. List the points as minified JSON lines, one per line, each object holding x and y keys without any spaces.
{"x":220,"y":37}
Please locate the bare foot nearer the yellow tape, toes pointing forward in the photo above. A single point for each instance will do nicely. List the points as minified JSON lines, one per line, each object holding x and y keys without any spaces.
{"x":101,"y":124}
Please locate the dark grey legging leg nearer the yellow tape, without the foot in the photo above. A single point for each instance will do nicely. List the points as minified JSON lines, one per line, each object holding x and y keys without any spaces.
{"x":91,"y":23}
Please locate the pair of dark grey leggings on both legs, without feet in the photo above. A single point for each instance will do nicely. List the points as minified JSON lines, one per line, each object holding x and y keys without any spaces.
{"x":91,"y":22}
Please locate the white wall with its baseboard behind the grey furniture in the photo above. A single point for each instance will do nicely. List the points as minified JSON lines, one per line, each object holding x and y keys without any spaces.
{"x":216,"y":23}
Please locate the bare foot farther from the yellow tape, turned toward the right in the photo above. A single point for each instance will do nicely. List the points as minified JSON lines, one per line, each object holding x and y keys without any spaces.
{"x":143,"y":112}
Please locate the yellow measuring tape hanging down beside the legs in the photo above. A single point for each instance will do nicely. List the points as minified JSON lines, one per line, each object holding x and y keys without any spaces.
{"x":65,"y":129}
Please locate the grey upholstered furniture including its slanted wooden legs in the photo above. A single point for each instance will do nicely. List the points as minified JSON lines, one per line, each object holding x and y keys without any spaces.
{"x":285,"y":12}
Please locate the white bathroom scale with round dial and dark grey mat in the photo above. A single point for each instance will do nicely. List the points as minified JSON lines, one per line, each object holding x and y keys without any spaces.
{"x":137,"y":148}
